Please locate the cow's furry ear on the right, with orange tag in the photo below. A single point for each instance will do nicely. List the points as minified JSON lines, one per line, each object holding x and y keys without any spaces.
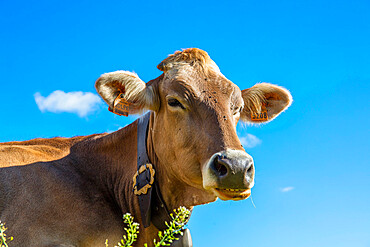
{"x":263,"y":102}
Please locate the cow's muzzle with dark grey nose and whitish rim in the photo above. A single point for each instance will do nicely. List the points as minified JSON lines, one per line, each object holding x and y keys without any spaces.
{"x":229,"y":175}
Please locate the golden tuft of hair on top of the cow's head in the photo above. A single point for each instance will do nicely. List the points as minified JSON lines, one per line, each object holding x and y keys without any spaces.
{"x":191,"y":56}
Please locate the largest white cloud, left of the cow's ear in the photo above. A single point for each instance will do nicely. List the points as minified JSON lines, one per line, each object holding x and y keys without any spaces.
{"x":81,"y":103}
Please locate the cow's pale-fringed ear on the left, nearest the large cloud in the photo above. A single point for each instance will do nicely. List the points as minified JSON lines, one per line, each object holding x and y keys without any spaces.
{"x":136,"y":93}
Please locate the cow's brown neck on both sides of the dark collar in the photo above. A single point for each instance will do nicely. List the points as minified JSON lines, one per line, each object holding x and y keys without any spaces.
{"x":109,"y":161}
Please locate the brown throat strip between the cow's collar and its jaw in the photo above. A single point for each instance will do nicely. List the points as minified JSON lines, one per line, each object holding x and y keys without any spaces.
{"x":175,"y":192}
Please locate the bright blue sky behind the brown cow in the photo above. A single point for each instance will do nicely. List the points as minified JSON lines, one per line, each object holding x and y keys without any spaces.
{"x":312,"y":162}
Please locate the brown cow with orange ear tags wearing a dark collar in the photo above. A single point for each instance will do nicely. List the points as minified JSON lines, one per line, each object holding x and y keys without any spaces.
{"x":187,"y":145}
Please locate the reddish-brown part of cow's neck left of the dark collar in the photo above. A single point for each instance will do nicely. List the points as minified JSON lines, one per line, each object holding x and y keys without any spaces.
{"x":109,"y":161}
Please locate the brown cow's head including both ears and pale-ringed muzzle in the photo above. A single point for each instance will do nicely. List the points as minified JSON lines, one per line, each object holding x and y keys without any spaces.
{"x":196,"y":112}
